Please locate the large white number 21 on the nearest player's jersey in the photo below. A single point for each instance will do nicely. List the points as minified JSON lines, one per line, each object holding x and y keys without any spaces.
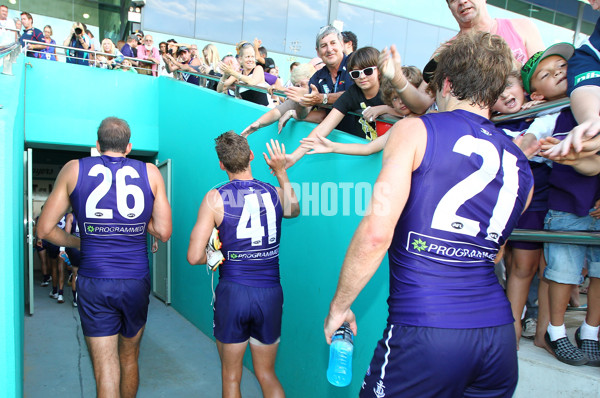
{"x":445,"y":217}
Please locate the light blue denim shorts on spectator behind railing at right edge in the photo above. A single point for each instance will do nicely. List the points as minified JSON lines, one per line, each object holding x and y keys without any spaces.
{"x":565,"y":262}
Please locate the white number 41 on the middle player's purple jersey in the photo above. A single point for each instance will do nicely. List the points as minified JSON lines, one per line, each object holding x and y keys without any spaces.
{"x":251,"y":214}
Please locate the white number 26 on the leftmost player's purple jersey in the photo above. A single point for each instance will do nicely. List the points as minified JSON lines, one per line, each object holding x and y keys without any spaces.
{"x":122,"y":190}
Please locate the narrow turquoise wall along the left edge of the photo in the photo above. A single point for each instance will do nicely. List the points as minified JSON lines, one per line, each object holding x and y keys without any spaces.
{"x":11,"y":242}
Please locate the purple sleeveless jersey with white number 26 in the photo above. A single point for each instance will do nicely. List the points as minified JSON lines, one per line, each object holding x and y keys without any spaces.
{"x":113,"y":203}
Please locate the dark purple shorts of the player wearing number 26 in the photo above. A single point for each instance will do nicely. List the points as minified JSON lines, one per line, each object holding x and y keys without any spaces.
{"x":112,"y":306}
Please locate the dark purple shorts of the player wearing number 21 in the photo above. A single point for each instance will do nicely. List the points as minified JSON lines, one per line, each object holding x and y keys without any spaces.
{"x":416,"y":361}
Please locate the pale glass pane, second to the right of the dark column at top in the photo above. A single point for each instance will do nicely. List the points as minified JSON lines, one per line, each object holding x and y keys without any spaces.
{"x":219,"y":21}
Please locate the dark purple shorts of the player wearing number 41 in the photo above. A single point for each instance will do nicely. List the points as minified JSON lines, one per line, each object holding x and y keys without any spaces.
{"x":242,"y":312}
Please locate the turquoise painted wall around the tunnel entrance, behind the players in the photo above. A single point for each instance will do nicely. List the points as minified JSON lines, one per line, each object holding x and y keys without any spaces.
{"x":62,"y":107}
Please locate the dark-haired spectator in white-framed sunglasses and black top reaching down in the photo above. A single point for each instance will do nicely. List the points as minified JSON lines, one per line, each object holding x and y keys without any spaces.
{"x":363,"y":94}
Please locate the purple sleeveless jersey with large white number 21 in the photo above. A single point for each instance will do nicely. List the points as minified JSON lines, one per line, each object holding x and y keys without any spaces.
{"x":465,"y":199}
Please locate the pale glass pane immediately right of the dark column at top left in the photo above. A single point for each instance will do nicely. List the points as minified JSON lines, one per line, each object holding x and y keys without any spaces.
{"x":170,"y":16}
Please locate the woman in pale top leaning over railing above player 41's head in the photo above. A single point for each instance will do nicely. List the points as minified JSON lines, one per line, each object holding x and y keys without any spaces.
{"x":250,"y":73}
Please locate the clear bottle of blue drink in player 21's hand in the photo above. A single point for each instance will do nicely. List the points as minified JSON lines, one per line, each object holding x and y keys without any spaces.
{"x":339,"y":371}
